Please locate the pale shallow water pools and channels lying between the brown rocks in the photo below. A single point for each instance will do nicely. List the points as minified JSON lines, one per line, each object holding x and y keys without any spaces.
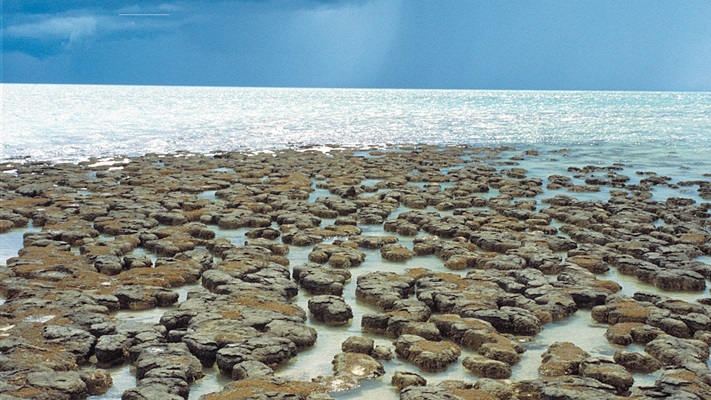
{"x":579,"y":328}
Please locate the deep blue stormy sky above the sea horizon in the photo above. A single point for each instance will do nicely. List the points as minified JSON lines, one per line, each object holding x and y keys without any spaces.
{"x":442,"y":44}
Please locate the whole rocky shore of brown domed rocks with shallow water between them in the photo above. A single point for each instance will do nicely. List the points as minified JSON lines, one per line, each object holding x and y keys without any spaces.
{"x":329,"y":244}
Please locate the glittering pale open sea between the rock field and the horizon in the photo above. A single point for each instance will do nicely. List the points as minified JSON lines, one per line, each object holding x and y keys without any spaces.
{"x":76,"y":122}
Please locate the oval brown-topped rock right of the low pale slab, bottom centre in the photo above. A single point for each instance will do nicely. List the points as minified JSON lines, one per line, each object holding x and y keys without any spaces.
{"x":426,"y":354}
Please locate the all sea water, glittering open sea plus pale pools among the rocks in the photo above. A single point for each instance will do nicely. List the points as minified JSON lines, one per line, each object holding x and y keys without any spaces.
{"x":669,"y":133}
